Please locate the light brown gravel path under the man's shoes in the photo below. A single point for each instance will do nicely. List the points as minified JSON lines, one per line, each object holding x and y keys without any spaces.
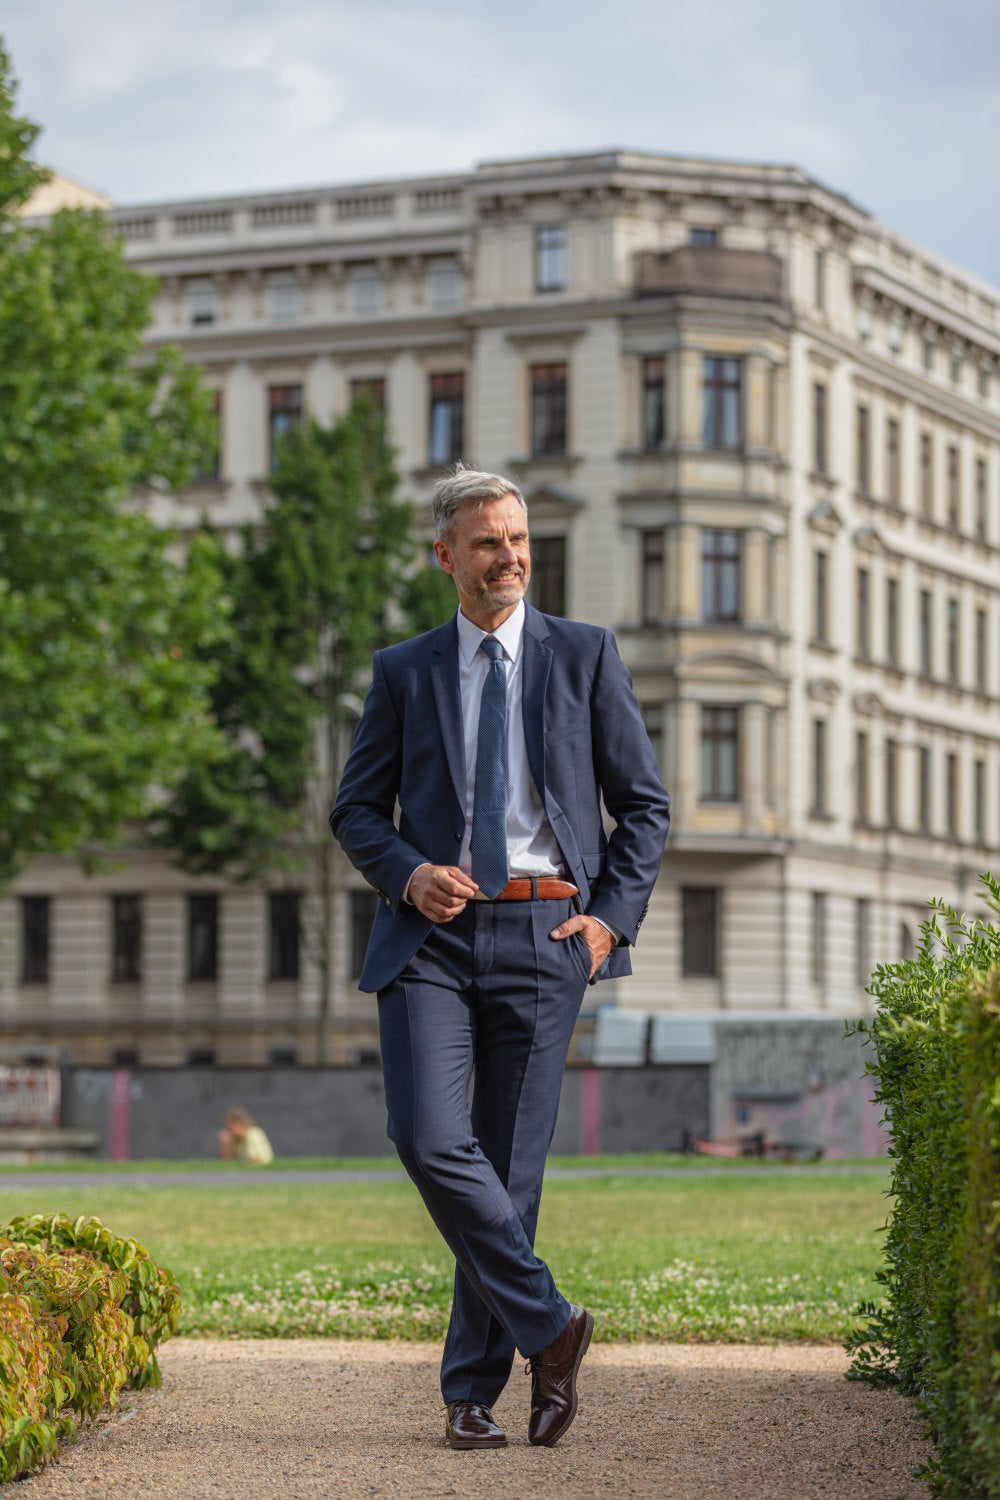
{"x":290,"y":1420}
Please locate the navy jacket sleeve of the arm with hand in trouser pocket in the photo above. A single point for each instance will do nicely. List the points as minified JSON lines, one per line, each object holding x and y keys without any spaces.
{"x":629,"y":781}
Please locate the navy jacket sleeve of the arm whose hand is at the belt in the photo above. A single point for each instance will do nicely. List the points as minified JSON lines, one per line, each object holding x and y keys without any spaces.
{"x":364,"y":817}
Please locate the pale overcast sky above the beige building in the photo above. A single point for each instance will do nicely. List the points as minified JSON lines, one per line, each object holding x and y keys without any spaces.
{"x":896,"y":103}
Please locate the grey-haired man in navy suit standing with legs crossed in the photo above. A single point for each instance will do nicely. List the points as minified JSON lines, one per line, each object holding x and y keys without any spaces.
{"x":497,"y":736}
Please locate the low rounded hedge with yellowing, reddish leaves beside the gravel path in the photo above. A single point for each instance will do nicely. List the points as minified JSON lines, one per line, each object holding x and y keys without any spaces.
{"x":82,"y":1313}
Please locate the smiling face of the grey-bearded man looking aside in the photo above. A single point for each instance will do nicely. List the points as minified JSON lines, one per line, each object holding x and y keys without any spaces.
{"x":490,"y":559}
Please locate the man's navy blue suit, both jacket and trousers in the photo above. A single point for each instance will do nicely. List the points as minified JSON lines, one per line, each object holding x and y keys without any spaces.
{"x":491,"y":994}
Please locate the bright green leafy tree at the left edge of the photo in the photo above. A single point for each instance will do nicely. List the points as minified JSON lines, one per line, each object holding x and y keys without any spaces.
{"x":104,"y":691}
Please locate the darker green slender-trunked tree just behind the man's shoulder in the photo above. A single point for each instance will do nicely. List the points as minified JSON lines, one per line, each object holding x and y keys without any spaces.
{"x":326,"y":578}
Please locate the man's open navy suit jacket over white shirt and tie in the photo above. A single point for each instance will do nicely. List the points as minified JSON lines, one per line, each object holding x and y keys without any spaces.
{"x":585,"y":740}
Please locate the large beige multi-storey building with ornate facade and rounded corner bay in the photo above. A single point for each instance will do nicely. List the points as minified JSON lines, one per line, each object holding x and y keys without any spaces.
{"x":761,"y":439}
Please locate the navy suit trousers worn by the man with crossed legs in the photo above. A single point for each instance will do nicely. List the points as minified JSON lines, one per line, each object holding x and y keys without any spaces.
{"x":485,"y":1010}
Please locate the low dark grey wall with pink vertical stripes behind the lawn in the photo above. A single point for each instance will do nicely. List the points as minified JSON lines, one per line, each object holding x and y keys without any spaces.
{"x":341,"y":1112}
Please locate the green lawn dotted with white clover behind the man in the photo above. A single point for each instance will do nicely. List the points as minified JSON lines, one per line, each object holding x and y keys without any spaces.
{"x":764,"y":1259}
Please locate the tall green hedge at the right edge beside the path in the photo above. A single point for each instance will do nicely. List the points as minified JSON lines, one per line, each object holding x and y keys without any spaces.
{"x":936,"y":1336}
